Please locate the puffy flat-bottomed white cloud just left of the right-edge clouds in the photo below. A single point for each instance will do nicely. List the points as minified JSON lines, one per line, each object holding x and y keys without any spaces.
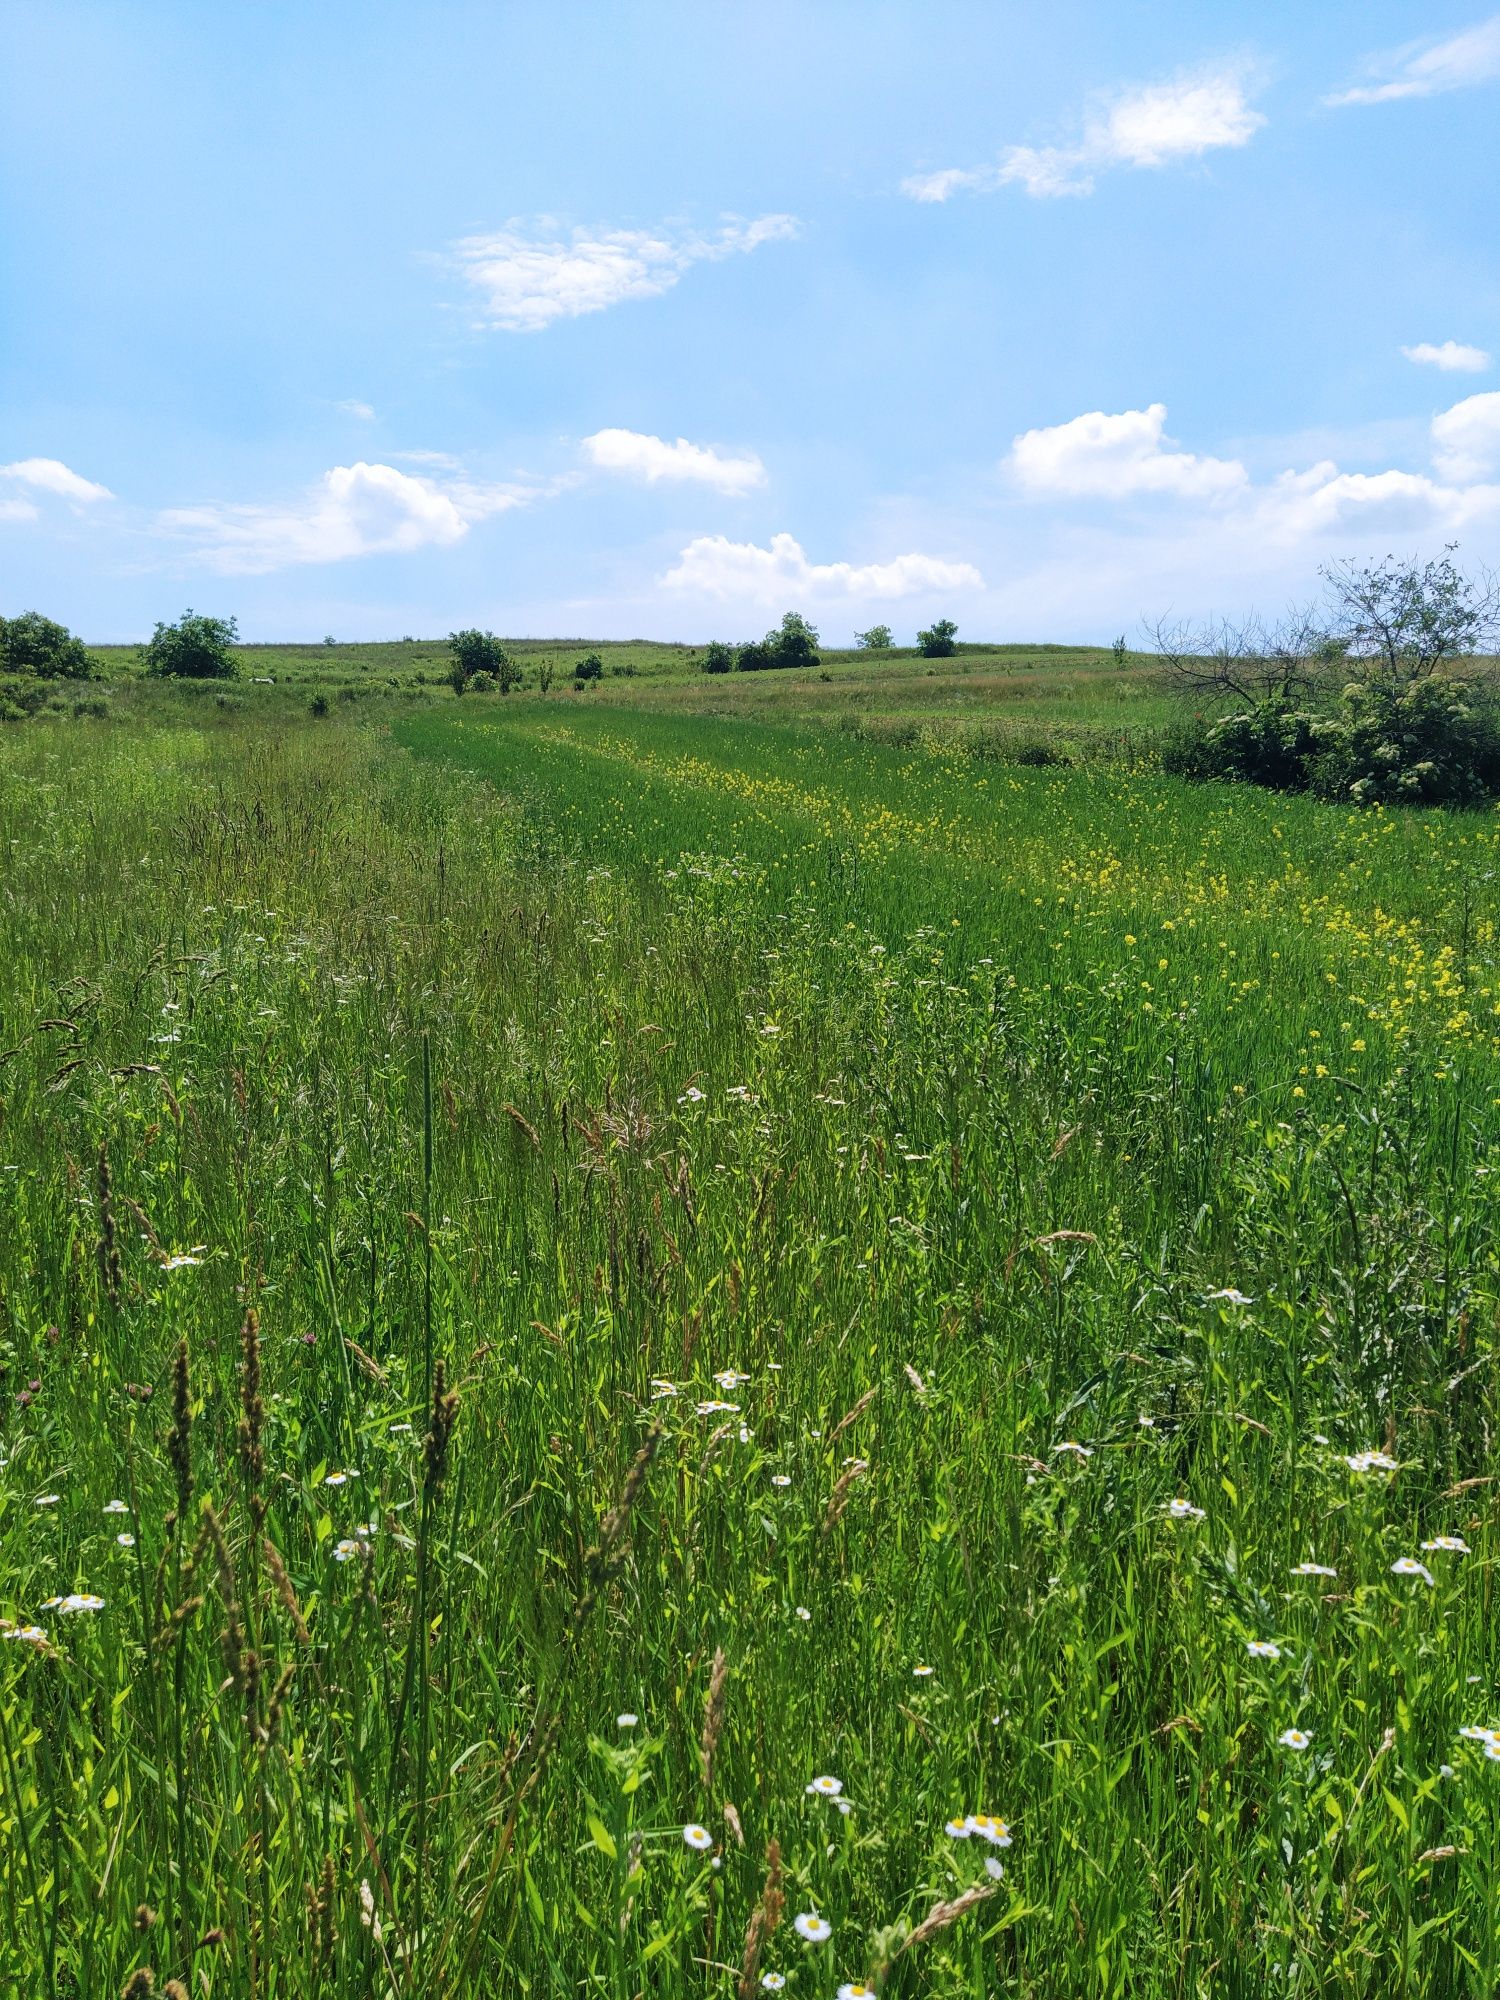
{"x":1119,"y":457}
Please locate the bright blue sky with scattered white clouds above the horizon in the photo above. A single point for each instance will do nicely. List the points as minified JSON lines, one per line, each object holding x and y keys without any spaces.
{"x":613,"y":321}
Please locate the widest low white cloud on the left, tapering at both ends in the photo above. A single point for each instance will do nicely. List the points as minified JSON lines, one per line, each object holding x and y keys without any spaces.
{"x":353,"y":511}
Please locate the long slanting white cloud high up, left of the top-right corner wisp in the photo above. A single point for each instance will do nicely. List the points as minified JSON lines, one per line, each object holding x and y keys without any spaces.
{"x":1155,"y":125}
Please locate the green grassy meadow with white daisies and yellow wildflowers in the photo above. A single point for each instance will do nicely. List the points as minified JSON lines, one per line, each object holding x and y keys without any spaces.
{"x":689,"y":1341}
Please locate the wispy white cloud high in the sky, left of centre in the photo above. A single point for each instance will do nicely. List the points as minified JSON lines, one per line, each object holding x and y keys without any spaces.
{"x":529,"y":281}
